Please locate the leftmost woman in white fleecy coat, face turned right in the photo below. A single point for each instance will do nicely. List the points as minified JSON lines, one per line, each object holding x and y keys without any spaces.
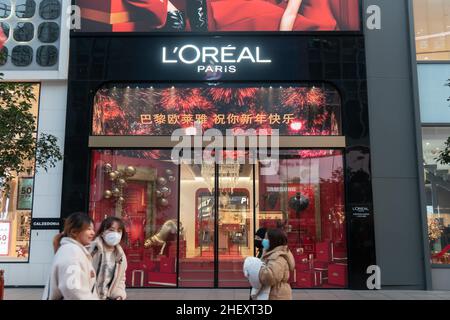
{"x":72,"y":275}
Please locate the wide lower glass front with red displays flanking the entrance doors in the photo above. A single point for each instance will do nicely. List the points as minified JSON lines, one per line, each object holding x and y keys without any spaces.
{"x":220,"y":207}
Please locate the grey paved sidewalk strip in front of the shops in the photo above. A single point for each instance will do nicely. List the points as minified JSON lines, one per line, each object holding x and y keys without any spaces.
{"x":242,"y":294}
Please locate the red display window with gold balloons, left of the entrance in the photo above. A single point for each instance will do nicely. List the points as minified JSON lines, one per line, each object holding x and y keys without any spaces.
{"x":140,"y":187}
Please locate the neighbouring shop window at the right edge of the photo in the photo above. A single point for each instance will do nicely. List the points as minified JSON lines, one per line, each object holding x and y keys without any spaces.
{"x":437,"y":187}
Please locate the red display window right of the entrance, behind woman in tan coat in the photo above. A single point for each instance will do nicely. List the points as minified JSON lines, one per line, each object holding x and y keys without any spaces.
{"x":306,"y":199}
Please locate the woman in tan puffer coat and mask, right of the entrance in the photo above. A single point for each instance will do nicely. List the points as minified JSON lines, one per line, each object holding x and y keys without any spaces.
{"x":278,"y":261}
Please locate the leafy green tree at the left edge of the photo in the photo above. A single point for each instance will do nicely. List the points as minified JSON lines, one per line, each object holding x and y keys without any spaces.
{"x":20,"y":149}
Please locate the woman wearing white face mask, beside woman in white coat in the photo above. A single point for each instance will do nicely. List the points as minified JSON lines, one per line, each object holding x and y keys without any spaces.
{"x":109,"y":260}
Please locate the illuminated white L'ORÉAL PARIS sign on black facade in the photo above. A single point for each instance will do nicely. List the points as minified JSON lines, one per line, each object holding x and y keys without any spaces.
{"x":213,"y":59}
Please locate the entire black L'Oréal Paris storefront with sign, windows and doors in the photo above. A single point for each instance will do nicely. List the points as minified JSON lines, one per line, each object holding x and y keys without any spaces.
{"x":192,"y":225}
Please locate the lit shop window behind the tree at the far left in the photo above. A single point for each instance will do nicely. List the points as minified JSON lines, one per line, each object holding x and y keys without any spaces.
{"x":16,"y":210}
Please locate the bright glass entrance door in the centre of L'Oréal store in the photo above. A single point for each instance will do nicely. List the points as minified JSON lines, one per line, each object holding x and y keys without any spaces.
{"x":218,"y":225}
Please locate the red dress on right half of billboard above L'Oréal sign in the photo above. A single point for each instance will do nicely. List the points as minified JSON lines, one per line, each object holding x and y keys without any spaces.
{"x":265,"y":15}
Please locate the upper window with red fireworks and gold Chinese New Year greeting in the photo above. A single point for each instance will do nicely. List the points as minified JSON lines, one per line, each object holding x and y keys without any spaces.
{"x":144,"y":109}
